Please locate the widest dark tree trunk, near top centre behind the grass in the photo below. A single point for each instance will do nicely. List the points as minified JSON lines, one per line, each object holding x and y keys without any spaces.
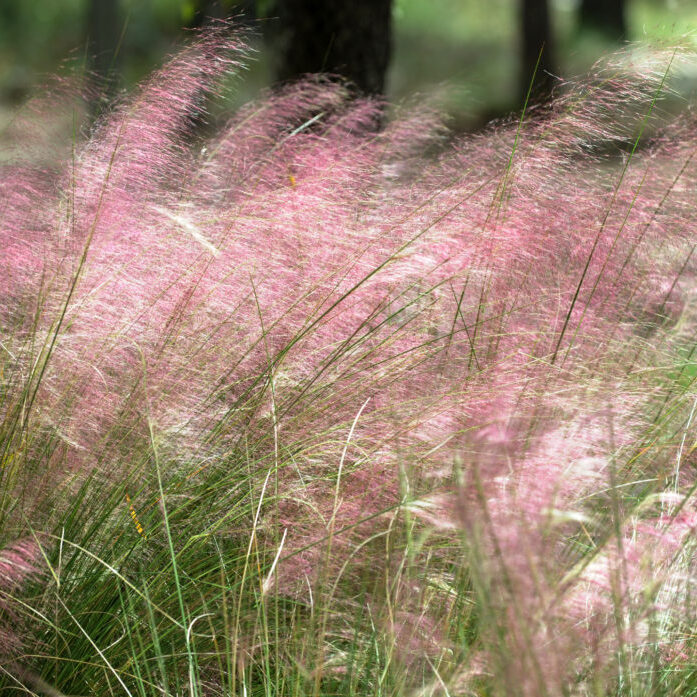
{"x":350,"y":38}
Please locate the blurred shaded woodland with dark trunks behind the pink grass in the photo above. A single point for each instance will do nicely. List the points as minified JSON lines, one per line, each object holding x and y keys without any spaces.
{"x":473,"y":57}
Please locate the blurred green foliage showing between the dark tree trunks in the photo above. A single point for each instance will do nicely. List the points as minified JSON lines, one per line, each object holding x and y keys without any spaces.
{"x":463,"y":53}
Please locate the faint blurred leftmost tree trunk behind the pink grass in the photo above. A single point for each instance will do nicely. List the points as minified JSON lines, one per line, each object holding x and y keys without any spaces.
{"x":103,"y":32}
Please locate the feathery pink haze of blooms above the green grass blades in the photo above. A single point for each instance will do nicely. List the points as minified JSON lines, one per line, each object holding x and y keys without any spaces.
{"x":491,"y":305}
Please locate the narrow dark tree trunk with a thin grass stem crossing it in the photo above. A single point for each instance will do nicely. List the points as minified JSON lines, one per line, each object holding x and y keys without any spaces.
{"x":537,"y":36}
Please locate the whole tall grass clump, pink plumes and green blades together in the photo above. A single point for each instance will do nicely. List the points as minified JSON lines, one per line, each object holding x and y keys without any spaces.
{"x":332,"y":402}
